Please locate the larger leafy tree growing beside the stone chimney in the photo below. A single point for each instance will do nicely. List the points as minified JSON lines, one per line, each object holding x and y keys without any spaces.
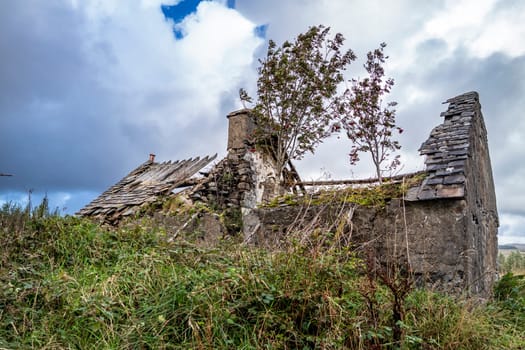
{"x":297,"y":92}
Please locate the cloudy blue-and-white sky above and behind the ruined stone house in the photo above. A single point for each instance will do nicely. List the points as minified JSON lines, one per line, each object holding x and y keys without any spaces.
{"x":88,"y":88}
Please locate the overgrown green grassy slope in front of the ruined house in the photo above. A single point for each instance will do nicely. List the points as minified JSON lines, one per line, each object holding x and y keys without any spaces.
{"x":66,"y":283}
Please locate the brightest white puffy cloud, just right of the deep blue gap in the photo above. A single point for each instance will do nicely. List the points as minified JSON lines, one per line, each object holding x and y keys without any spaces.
{"x":217,"y":53}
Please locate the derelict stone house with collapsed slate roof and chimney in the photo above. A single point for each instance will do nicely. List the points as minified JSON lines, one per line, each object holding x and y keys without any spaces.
{"x":444,"y":225}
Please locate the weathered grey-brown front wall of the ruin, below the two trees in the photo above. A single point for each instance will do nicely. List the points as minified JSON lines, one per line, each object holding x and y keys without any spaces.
{"x":431,"y":236}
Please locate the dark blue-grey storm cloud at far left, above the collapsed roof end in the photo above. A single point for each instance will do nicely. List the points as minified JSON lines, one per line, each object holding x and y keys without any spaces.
{"x":56,"y":126}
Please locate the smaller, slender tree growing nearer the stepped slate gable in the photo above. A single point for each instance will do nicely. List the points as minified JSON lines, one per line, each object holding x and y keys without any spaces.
{"x":368,"y":123}
